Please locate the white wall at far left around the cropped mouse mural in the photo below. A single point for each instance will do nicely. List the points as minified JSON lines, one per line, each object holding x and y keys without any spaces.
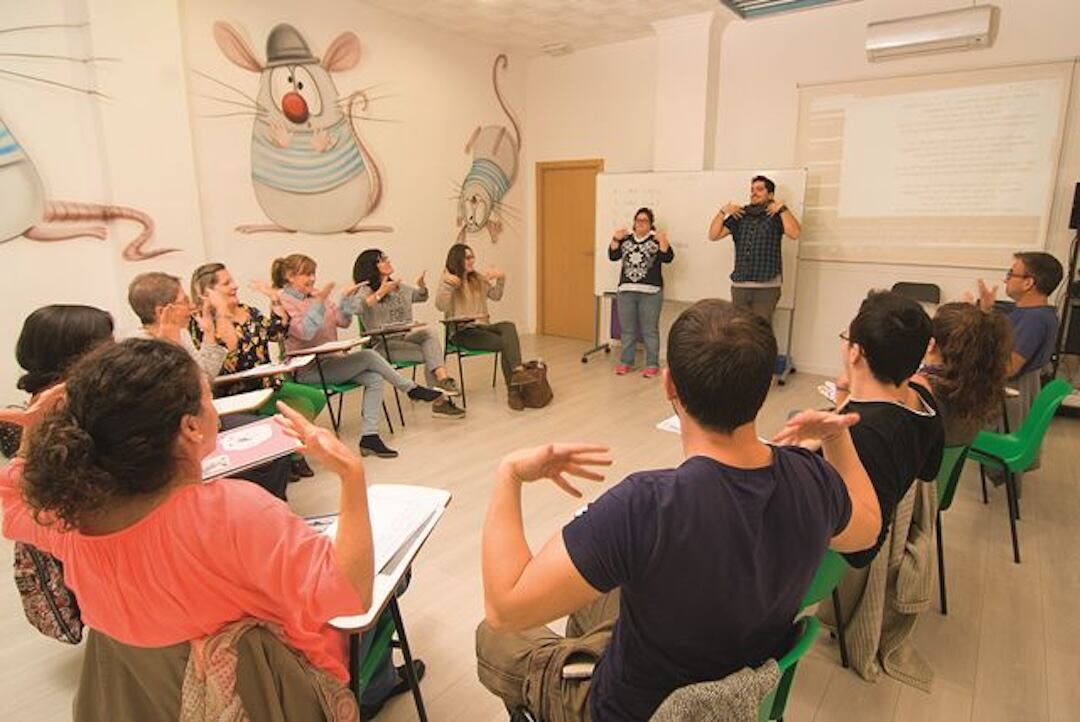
{"x":131,"y":149}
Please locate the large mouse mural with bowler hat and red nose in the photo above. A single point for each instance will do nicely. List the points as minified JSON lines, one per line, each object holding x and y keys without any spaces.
{"x":310,"y":170}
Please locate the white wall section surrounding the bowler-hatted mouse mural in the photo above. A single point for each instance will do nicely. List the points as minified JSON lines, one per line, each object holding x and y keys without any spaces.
{"x":434,"y":87}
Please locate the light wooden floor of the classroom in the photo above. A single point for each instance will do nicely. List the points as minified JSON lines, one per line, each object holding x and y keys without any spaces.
{"x":1009,"y":650}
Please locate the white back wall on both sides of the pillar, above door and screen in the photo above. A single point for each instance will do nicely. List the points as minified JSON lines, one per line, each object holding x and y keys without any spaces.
{"x":762,"y":63}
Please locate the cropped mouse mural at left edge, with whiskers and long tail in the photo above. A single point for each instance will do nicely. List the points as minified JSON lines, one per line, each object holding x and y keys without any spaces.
{"x":26,"y":211}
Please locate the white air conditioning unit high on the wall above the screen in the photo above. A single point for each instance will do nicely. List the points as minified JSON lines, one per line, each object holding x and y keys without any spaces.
{"x":968,"y":29}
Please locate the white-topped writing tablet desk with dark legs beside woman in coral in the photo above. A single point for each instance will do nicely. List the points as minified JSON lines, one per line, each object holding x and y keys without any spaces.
{"x":384,"y":597}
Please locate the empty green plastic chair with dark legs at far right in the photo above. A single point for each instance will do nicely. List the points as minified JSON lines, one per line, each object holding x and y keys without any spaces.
{"x":1015,"y":453}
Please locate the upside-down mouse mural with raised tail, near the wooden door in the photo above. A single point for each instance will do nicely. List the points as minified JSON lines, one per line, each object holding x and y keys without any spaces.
{"x":493,"y":172}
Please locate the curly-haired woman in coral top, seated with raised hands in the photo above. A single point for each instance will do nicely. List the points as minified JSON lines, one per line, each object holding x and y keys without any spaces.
{"x":112,"y":485}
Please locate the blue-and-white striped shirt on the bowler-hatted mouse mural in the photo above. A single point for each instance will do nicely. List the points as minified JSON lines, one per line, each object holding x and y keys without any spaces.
{"x":301,"y":169}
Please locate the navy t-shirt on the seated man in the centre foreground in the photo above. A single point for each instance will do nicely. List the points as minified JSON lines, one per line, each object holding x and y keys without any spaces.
{"x":712,"y":563}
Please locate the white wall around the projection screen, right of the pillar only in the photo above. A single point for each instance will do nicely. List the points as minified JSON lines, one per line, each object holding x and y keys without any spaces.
{"x":764,"y":62}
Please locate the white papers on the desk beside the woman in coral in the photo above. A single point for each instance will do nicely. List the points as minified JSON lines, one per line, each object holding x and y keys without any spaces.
{"x":399,"y":515}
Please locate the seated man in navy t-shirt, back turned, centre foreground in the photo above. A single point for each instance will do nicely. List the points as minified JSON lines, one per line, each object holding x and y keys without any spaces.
{"x":710,"y":561}
